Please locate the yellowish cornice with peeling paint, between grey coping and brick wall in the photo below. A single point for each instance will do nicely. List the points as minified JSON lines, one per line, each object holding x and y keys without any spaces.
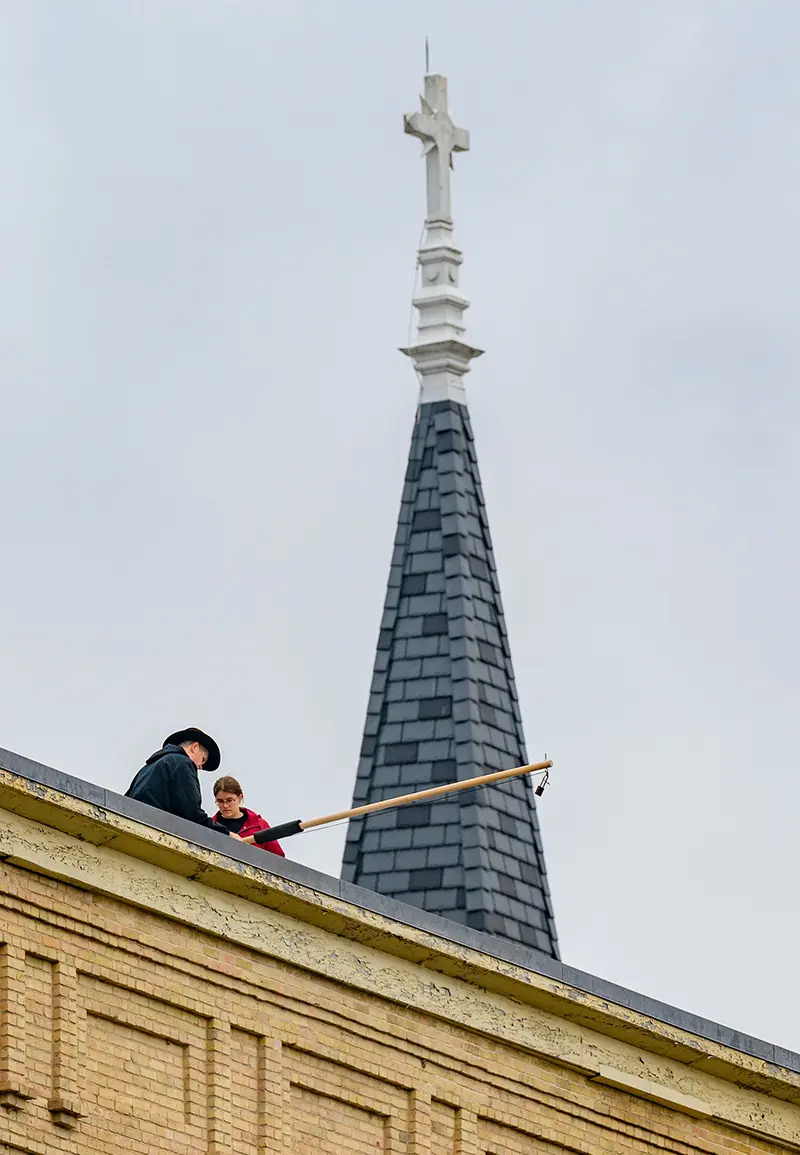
{"x":102,"y":853}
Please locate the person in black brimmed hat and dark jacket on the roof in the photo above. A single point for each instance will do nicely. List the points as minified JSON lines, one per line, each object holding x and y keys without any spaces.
{"x":169,"y":779}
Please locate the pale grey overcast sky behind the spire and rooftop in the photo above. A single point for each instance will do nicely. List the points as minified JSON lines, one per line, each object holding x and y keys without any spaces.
{"x":208,"y":223}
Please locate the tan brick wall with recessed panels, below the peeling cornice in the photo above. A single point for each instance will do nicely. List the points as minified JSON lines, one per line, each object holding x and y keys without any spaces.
{"x":125,"y":1031}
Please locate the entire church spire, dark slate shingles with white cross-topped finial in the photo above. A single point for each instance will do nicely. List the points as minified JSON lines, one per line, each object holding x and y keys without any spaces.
{"x":444,"y":703}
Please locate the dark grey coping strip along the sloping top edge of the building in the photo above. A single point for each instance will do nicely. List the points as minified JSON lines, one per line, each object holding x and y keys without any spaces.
{"x":399,"y":912}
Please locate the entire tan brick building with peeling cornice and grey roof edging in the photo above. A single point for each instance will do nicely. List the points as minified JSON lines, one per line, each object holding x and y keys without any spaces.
{"x":165,"y":990}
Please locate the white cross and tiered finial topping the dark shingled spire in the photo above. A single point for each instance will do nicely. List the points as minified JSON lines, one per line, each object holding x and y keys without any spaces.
{"x":442,"y":356}
